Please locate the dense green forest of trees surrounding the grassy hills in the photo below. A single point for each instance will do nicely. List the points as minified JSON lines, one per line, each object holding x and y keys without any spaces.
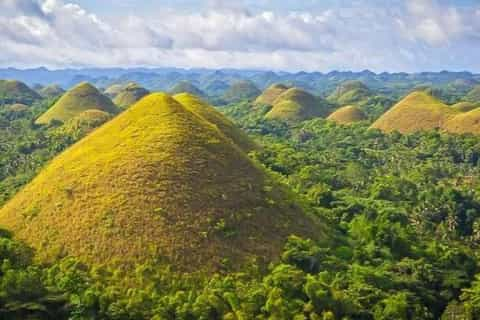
{"x":403,"y":211}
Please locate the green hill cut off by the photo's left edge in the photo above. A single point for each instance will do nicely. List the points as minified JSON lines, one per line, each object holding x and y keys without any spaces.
{"x":12,"y":92}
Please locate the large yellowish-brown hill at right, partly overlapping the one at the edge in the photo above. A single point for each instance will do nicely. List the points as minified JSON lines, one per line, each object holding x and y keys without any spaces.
{"x":417,"y":111}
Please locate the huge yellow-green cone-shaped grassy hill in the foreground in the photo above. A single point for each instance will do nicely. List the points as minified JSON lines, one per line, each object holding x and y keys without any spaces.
{"x":157,"y":183}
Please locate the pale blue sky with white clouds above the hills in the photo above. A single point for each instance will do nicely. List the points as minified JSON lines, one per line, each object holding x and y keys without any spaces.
{"x":316,"y":35}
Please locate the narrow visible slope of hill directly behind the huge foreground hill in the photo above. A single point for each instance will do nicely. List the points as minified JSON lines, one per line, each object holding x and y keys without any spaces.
{"x":209,"y":113}
